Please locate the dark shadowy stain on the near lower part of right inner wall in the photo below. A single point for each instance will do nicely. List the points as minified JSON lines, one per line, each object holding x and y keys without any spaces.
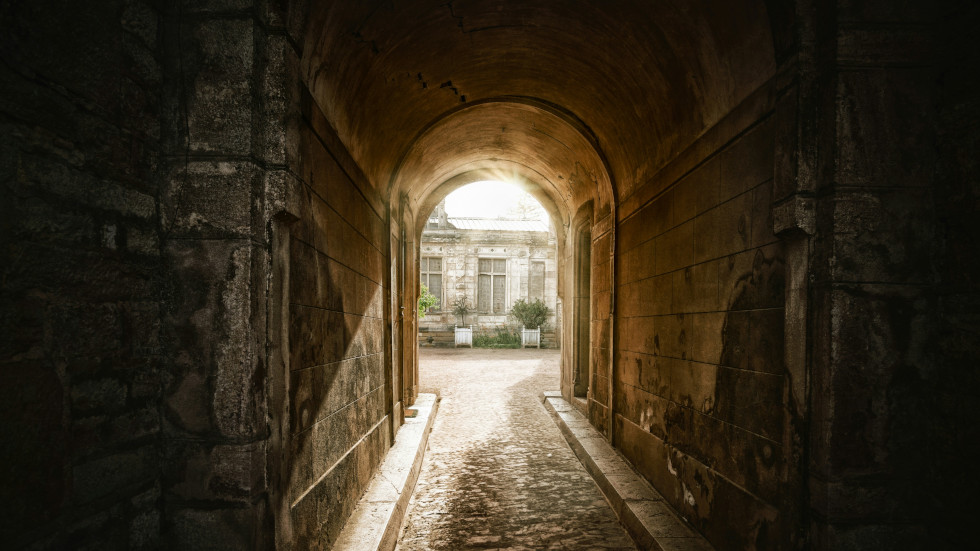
{"x":728,"y":465}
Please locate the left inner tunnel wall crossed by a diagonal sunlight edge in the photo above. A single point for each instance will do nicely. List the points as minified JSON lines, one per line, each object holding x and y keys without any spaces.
{"x":338,"y":415}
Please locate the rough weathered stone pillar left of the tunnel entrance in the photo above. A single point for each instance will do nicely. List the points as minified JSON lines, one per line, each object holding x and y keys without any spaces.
{"x":229,"y":165}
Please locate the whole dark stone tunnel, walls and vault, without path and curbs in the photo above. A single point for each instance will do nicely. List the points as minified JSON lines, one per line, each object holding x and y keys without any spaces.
{"x":766,"y":222}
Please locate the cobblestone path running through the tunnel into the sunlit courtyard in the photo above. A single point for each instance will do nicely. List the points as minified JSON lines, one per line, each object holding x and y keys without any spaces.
{"x":498,"y":474}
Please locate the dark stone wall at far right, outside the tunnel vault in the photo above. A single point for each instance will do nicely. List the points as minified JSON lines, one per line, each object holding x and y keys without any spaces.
{"x":888,"y":349}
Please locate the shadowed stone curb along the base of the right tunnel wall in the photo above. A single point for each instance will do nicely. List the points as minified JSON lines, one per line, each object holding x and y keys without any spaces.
{"x":649,"y":519}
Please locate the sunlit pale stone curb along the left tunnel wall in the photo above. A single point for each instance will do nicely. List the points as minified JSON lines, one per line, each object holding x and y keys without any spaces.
{"x":376,"y":521}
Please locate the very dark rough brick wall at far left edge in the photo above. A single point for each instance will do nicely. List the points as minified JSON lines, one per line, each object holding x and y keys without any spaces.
{"x":80,"y":347}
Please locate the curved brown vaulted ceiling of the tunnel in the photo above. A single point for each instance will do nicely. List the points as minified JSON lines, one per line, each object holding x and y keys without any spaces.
{"x":579,"y":93}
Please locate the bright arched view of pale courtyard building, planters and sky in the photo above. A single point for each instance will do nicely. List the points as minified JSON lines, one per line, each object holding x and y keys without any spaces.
{"x":488,"y":268}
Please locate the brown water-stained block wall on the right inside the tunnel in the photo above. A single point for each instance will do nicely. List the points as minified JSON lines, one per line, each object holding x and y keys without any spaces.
{"x":699,"y":376}
